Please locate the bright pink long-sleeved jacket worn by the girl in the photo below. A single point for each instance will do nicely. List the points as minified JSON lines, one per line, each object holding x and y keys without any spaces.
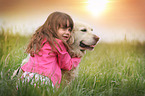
{"x":50,"y":63}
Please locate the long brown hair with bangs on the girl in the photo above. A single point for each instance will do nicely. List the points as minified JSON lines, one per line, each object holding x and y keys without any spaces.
{"x":48,"y":31}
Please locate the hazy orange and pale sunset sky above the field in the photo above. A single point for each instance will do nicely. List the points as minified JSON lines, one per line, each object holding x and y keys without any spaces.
{"x":112,"y":19}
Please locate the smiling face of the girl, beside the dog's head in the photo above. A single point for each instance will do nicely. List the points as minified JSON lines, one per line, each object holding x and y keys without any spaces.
{"x":64,"y":33}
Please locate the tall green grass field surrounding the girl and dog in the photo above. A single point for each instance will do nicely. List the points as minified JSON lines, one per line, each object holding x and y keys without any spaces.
{"x":112,"y":69}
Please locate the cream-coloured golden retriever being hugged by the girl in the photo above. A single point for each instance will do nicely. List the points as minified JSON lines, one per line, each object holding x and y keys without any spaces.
{"x":81,"y":39}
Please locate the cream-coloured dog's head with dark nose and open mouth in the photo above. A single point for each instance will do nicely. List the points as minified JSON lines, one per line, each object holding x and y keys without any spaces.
{"x":82,"y":38}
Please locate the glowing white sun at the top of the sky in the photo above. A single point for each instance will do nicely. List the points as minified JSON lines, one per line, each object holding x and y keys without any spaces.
{"x":96,"y":7}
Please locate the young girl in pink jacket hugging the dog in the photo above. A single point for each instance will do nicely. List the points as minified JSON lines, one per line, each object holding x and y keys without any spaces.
{"x":49,"y":50}
